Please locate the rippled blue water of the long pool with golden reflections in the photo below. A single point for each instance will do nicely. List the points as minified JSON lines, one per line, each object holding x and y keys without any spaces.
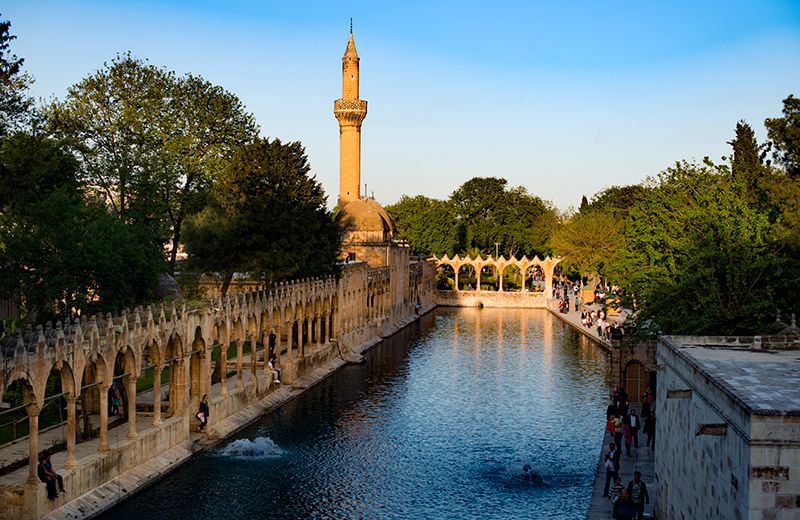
{"x":439,"y":422}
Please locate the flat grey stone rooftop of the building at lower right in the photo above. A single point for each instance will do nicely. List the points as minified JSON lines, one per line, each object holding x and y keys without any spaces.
{"x":766,"y":381}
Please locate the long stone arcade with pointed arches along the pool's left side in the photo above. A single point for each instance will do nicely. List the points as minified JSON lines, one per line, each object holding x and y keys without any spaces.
{"x":306,"y":323}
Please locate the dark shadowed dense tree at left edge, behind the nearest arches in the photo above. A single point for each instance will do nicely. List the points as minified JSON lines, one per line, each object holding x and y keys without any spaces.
{"x":60,"y":249}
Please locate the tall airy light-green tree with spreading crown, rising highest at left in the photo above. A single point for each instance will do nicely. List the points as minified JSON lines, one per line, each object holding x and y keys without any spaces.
{"x":151,"y":142}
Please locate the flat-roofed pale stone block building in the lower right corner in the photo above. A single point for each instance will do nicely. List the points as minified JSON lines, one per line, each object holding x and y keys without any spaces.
{"x":728,"y":428}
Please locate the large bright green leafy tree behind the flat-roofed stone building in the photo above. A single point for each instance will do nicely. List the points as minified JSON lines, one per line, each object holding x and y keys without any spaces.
{"x":701,"y":258}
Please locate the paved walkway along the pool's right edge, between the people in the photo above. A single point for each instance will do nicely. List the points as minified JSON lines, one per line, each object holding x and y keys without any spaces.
{"x":641,"y":458}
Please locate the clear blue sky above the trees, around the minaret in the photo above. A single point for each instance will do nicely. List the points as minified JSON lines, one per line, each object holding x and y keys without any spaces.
{"x":564,"y":98}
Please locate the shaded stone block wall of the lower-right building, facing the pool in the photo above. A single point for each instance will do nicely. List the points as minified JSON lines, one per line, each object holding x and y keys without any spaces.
{"x":698,"y":475}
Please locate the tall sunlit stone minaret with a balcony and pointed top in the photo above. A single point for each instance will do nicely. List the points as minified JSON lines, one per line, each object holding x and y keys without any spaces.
{"x":350,"y":111}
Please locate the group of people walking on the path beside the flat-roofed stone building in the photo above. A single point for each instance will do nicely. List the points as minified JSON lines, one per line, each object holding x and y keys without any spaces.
{"x":624,"y":425}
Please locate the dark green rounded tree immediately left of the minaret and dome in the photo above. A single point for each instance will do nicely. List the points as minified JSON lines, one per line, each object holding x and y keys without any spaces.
{"x":267,"y":217}
